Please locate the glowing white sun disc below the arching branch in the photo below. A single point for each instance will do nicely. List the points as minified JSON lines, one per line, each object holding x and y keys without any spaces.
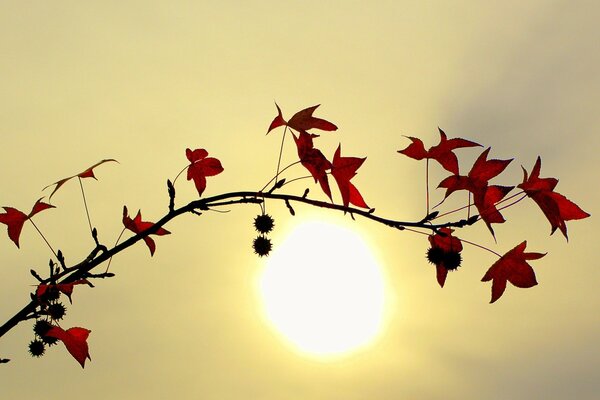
{"x":322,"y":289}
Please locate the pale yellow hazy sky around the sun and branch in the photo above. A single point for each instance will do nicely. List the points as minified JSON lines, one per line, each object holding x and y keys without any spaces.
{"x":140,"y":81}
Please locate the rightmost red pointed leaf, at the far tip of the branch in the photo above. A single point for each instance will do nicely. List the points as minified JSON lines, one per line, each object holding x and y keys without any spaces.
{"x":556,"y":207}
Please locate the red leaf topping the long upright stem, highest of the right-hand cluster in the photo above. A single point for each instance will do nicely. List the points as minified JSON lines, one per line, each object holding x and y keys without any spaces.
{"x":442,"y":152}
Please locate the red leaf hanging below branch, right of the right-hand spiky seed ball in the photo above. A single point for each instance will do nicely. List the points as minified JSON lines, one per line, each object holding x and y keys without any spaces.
{"x":512,"y":267}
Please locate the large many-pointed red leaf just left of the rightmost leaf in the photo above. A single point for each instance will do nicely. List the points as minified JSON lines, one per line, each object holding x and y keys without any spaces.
{"x":485,"y":196}
